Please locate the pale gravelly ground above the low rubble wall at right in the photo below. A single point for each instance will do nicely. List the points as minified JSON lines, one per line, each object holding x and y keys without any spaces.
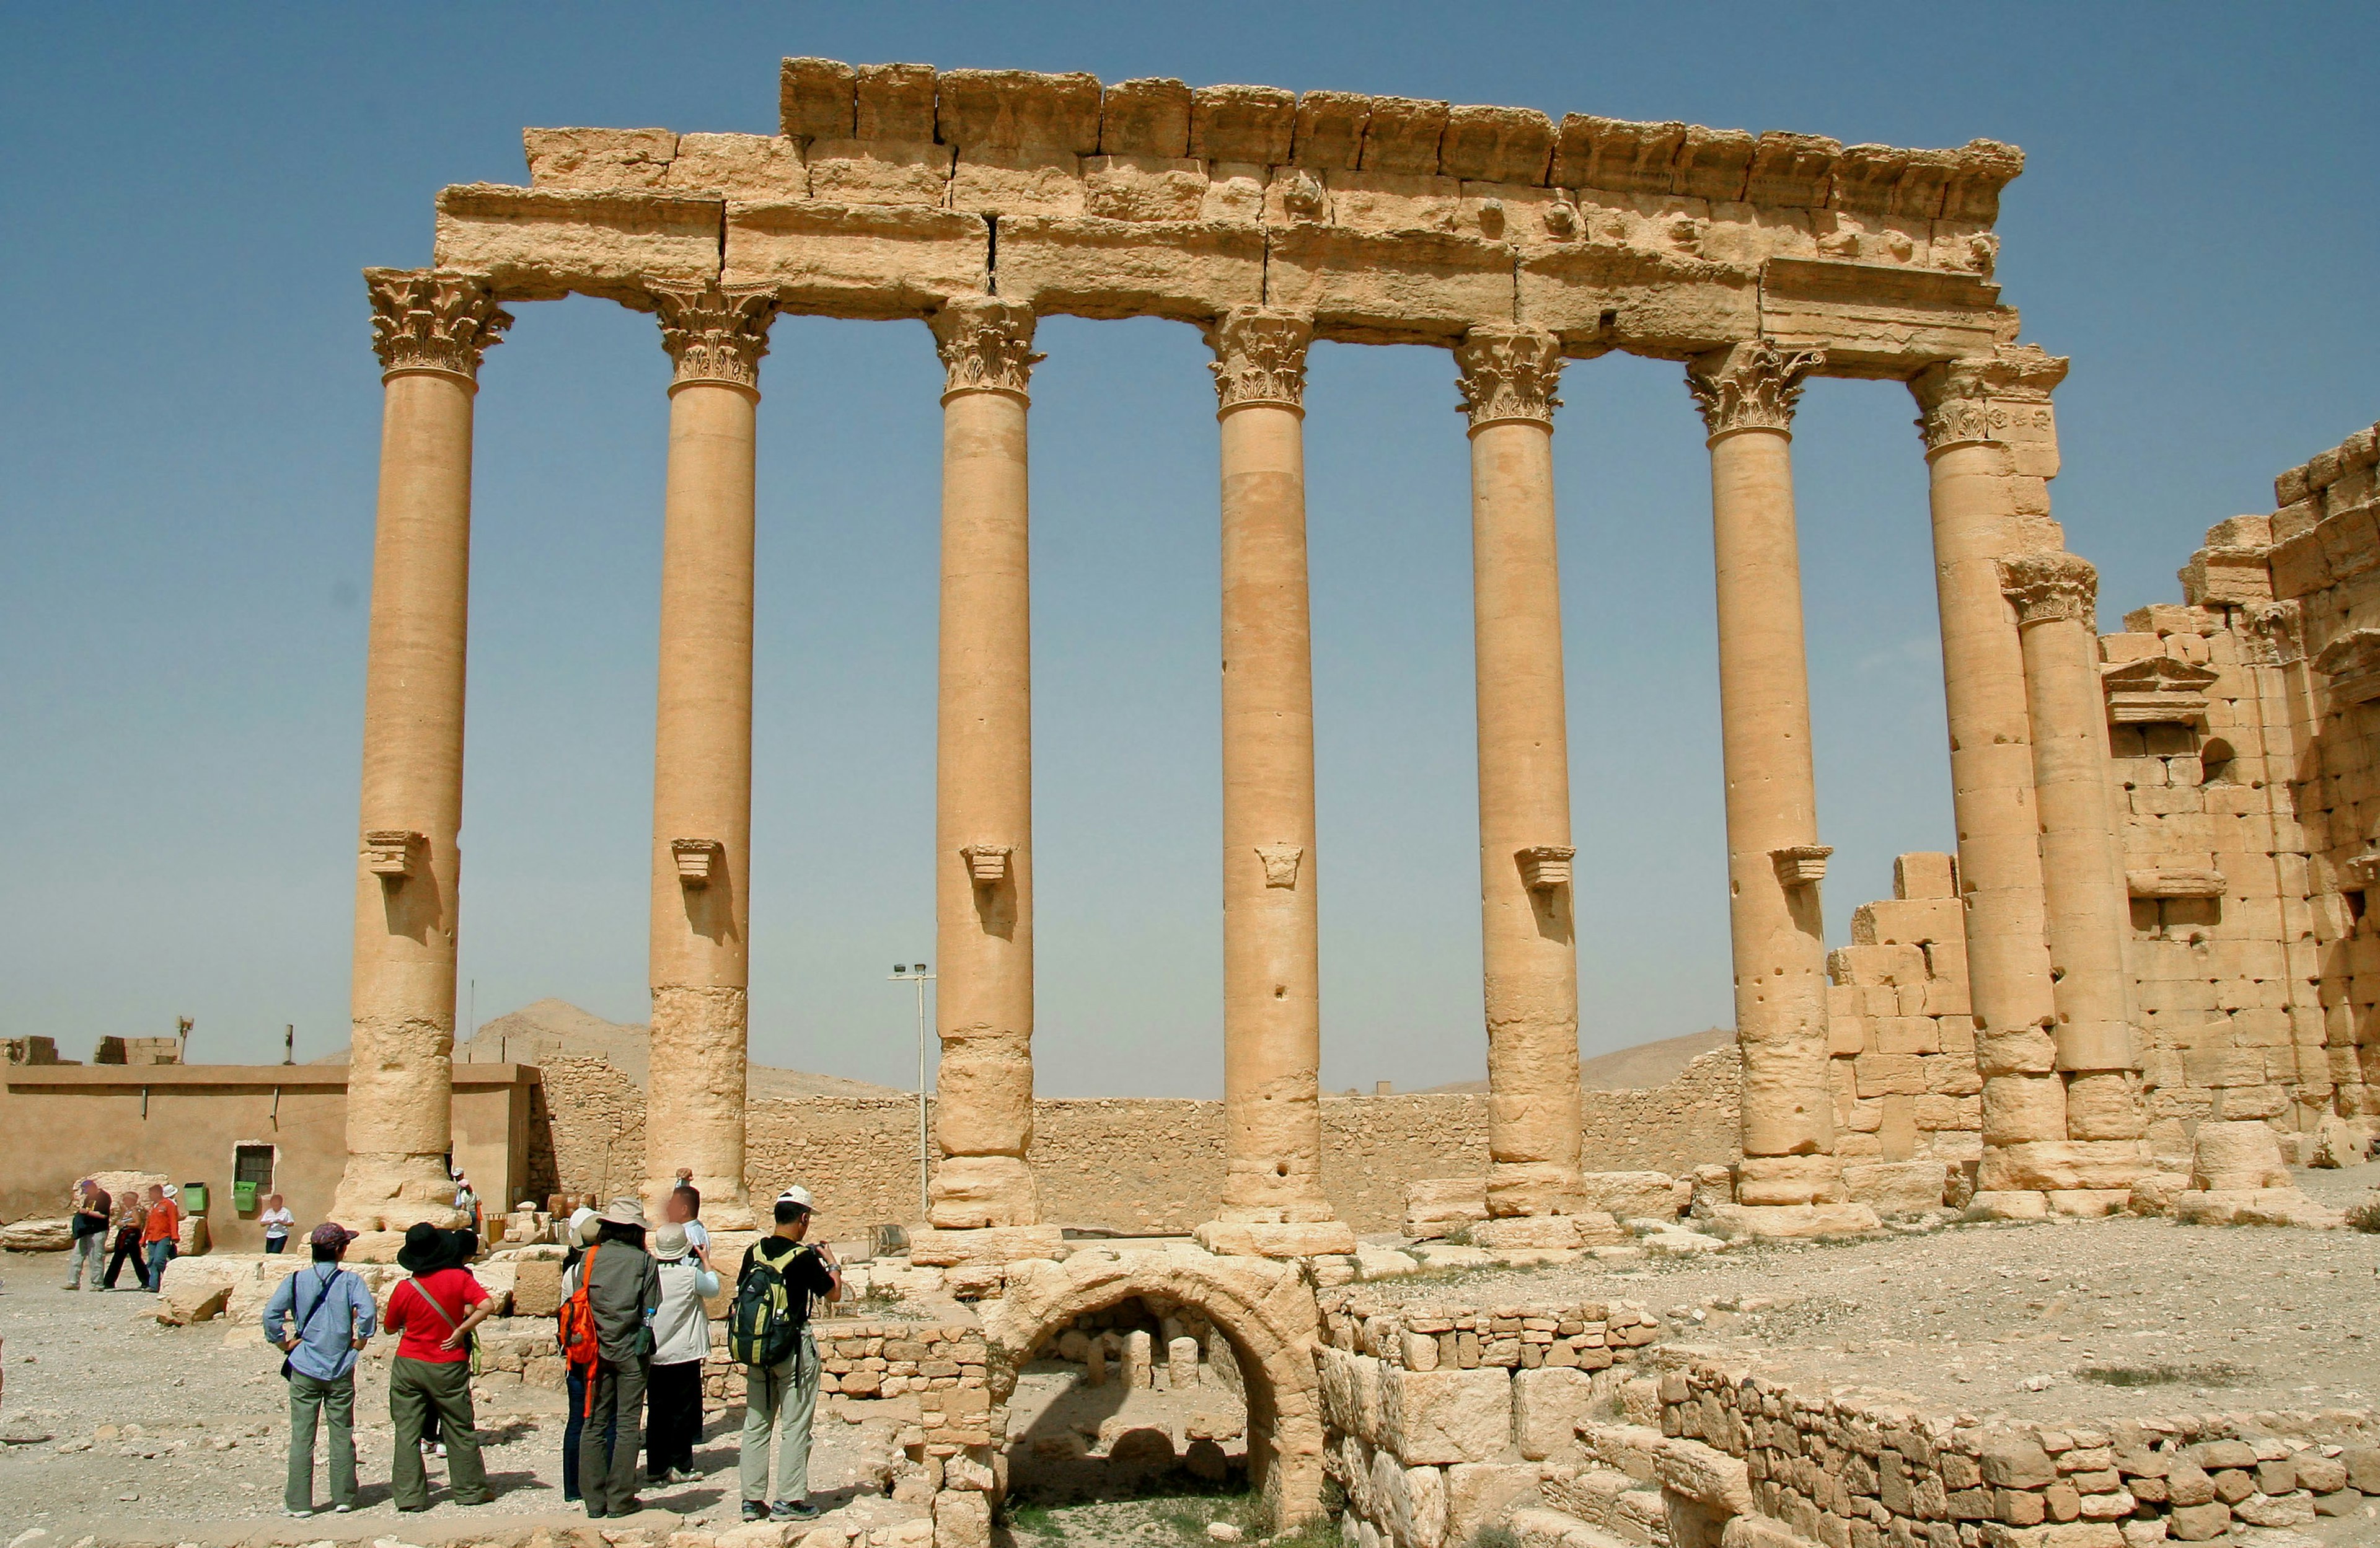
{"x":2041,"y":1321}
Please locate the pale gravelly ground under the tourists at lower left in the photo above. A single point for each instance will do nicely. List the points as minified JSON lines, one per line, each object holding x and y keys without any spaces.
{"x":201,"y":1437}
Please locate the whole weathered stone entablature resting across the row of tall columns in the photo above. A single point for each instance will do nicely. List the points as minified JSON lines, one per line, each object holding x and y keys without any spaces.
{"x":1379,"y":218}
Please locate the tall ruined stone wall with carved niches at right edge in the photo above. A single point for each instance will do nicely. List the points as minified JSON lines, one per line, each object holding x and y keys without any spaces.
{"x":2246,"y":764}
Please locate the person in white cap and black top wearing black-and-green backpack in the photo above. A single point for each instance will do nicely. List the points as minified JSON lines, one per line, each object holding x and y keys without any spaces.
{"x":770,"y":1335}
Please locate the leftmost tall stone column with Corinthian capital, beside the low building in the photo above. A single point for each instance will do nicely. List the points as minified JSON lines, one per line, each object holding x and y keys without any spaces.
{"x":430,"y":332}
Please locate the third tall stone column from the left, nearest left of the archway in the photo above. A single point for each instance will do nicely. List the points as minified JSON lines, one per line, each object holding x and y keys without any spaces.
{"x":984,"y":776}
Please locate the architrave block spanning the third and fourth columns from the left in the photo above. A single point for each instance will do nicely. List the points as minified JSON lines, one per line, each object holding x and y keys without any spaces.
{"x":1132,"y":268}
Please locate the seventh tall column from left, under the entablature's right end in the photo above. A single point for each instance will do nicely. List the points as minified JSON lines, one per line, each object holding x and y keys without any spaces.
{"x":1986,"y":424}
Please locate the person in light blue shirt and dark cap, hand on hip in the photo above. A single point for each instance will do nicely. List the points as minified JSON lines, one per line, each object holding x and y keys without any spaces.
{"x":320,"y":1319}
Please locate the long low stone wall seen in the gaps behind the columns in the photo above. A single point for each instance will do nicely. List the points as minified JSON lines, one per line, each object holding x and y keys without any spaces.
{"x":1125,"y":1164}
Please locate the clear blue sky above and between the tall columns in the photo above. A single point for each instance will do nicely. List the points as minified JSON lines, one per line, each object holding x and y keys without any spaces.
{"x":189,"y":453}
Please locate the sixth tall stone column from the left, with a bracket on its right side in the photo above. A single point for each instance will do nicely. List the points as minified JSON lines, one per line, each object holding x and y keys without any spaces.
{"x":1774,"y":857}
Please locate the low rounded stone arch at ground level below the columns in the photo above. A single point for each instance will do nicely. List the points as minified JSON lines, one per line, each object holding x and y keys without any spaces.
{"x":1267,"y":1311}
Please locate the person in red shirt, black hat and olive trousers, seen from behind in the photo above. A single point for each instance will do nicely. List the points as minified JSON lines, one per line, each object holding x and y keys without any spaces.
{"x":432,"y":1376}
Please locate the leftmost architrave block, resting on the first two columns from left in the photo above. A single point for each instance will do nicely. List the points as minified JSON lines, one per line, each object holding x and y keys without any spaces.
{"x":544,"y":244}
